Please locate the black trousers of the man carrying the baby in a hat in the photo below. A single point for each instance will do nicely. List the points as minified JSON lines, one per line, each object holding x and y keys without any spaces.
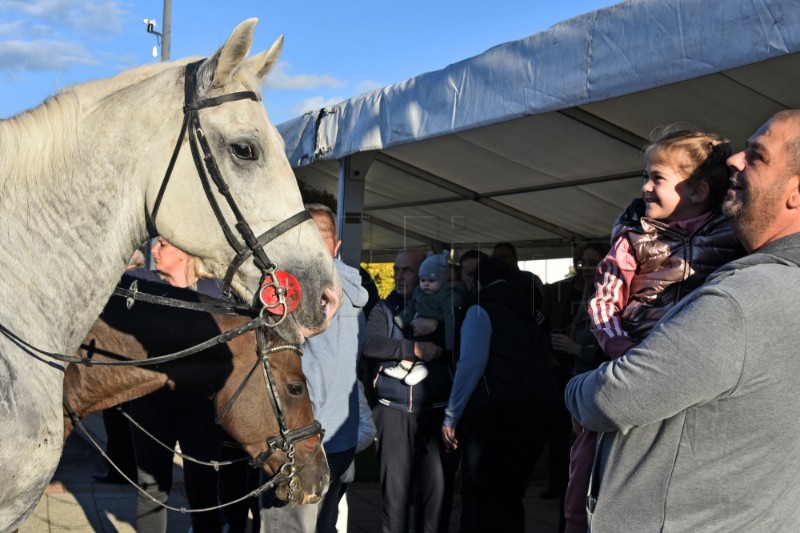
{"x":410,"y":449}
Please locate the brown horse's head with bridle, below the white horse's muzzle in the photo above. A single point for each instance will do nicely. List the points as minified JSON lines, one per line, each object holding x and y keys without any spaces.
{"x":251,"y":418}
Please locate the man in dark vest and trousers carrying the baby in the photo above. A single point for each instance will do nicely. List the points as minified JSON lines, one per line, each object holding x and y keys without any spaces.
{"x":408,"y":417}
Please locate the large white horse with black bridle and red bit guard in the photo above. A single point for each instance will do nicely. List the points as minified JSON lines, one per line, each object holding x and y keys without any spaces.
{"x":81,"y":174}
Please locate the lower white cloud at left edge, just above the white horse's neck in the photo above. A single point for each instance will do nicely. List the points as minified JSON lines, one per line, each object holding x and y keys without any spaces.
{"x":43,"y":55}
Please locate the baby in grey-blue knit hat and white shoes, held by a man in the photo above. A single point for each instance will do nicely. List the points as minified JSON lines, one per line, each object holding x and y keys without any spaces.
{"x":436,"y":298}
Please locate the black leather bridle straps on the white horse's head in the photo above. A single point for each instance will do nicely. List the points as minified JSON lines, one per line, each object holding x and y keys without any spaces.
{"x":207,"y":166}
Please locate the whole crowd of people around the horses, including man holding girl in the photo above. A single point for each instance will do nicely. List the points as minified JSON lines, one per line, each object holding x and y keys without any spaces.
{"x":659,"y":374}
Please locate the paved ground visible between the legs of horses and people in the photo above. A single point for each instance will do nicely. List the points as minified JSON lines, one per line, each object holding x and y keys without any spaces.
{"x":75,"y":503}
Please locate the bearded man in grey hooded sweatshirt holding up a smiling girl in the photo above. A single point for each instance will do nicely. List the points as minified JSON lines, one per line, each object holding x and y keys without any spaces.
{"x":699,"y":417}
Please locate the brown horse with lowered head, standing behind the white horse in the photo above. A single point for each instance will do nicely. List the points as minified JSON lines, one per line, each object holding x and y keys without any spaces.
{"x":228,"y":372}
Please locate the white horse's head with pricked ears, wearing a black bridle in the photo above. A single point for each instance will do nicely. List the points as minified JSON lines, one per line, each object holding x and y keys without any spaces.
{"x":249,"y":154}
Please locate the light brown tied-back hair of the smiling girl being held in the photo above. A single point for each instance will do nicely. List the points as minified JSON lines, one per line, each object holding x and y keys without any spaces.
{"x":698,"y":155}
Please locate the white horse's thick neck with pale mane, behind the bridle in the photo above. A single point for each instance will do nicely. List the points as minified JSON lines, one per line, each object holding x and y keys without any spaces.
{"x":71,"y":211}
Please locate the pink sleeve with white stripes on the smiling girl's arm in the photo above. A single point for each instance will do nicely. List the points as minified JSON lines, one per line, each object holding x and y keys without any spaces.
{"x":612,"y":286}
